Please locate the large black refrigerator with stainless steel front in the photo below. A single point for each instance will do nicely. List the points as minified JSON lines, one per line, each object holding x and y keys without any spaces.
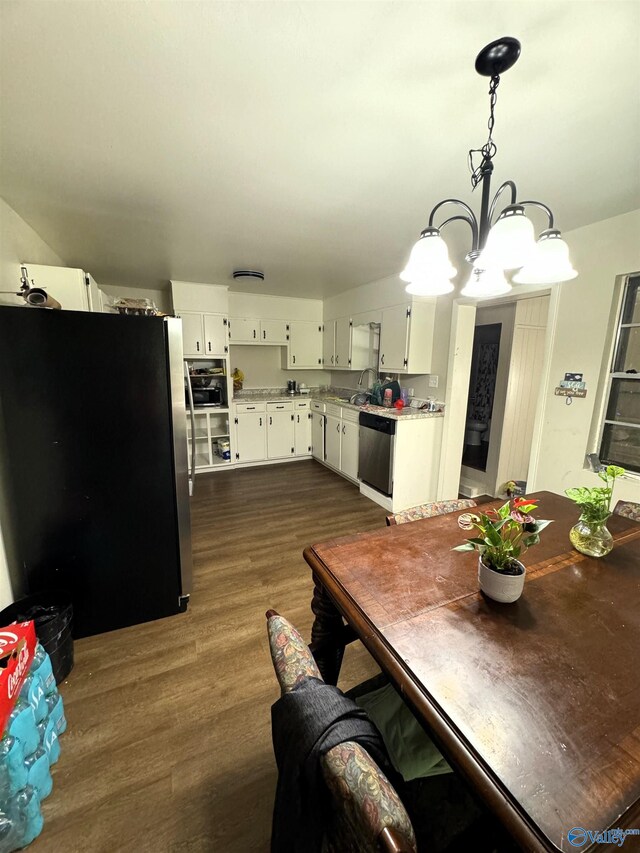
{"x":93,"y":457}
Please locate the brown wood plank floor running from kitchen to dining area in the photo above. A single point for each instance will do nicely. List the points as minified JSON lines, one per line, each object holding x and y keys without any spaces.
{"x":169,"y":746}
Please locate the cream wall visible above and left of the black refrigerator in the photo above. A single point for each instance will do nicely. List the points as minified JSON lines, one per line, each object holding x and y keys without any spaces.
{"x":19,"y":244}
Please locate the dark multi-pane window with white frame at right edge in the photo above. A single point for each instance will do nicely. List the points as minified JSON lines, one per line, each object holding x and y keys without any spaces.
{"x":620,"y":443}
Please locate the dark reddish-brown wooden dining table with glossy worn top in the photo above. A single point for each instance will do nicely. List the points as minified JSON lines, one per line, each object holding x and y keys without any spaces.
{"x":535,"y":703}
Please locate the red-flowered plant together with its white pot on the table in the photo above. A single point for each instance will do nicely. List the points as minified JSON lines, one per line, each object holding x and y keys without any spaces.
{"x":503,"y":535}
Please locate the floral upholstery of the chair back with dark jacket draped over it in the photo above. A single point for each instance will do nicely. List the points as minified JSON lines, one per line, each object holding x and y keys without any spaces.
{"x":368,"y":815}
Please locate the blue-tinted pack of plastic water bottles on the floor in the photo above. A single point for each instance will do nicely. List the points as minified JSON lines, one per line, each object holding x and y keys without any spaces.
{"x":28,"y":748}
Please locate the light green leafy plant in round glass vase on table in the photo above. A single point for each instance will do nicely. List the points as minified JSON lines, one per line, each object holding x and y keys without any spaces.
{"x":590,"y":535}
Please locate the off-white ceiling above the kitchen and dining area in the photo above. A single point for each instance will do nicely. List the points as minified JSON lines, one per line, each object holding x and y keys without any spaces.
{"x":153,"y":140}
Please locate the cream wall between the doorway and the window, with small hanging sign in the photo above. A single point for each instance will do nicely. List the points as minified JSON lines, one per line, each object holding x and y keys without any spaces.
{"x":579,"y":319}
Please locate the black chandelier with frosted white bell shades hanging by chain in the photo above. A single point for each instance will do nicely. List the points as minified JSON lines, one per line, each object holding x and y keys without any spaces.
{"x":500,"y":241}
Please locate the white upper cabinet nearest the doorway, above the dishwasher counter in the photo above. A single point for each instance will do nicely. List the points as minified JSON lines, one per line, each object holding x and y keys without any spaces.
{"x":406,"y":338}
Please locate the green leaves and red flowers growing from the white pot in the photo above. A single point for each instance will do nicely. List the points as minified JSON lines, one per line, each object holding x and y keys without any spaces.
{"x":504,"y":533}
